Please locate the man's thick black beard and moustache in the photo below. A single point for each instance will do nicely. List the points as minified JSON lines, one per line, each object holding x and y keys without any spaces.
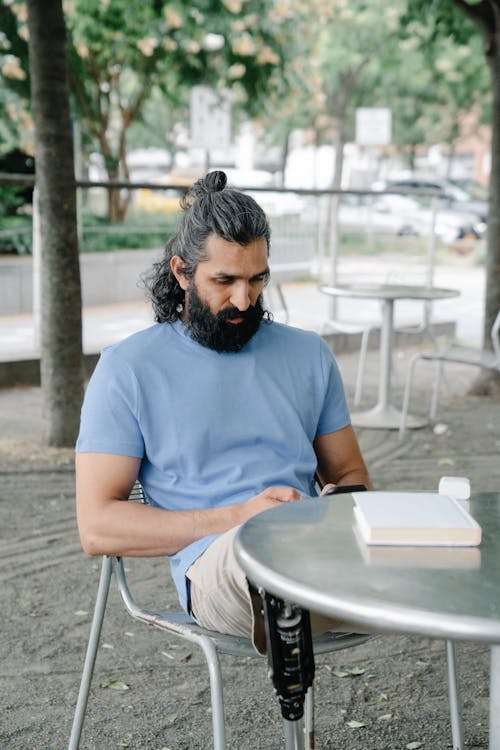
{"x":214,"y":332}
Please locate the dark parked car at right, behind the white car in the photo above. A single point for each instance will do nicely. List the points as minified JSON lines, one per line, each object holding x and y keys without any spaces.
{"x":452,"y":196}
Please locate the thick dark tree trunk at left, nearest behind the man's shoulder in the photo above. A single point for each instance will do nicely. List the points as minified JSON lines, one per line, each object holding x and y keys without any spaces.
{"x":61,"y":325}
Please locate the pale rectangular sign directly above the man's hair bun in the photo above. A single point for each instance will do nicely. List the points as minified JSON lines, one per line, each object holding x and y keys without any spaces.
{"x":210,"y":119}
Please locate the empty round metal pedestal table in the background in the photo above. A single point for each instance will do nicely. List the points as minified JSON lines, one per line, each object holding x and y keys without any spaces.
{"x":384,"y":415}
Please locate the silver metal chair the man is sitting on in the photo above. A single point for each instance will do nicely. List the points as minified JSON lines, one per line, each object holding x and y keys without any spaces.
{"x":180,"y":624}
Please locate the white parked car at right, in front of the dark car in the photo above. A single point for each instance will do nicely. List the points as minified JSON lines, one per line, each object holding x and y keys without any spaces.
{"x":402,"y":215}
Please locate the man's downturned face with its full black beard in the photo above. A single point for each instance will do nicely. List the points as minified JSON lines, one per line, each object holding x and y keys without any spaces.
{"x":223,"y":306}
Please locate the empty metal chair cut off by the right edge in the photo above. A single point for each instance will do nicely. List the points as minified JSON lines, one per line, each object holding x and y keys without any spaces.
{"x":484,"y":358}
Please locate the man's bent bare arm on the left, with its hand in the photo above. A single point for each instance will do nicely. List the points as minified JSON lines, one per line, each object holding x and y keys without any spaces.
{"x":109,"y":525}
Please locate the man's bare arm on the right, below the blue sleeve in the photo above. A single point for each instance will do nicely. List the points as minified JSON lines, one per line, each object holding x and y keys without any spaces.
{"x":340,"y":460}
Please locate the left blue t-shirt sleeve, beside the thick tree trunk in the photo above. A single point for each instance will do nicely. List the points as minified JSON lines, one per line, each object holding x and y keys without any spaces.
{"x":109,"y":417}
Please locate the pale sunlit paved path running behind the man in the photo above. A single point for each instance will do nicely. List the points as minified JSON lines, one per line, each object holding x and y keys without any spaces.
{"x":307,"y":307}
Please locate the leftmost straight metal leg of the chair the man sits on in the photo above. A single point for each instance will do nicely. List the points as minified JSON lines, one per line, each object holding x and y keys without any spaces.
{"x":90,"y":657}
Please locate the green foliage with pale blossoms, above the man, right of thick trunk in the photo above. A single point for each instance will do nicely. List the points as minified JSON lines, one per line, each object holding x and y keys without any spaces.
{"x":121,"y":51}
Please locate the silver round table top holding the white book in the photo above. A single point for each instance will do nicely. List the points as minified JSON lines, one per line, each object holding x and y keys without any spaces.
{"x":307,"y":552}
